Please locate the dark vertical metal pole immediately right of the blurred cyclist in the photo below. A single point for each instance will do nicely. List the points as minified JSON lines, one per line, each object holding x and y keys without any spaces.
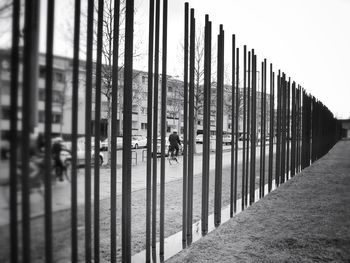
{"x":74,"y":212}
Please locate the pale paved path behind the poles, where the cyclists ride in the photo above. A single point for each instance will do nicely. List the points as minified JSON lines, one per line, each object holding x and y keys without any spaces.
{"x":62,"y":190}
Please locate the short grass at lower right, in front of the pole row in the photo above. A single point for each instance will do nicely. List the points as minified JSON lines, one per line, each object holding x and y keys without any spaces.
{"x":304,"y":220}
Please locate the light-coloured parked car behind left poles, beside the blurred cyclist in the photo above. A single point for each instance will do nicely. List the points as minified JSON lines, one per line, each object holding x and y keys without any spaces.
{"x":66,"y":157}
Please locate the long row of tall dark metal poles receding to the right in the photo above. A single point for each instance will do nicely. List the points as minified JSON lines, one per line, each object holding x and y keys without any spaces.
{"x":299,"y":130}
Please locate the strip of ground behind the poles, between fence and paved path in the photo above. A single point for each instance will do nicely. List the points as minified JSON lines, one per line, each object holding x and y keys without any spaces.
{"x":173,"y":220}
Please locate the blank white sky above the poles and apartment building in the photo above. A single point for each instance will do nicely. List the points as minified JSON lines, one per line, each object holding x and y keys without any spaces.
{"x":307,"y":39}
